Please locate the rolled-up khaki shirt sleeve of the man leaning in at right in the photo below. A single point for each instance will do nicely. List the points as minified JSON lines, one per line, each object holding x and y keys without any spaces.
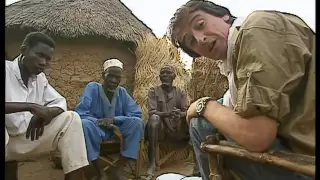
{"x":269,"y":66}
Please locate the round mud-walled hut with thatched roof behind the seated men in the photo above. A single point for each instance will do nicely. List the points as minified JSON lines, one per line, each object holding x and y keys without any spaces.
{"x":86,"y":32}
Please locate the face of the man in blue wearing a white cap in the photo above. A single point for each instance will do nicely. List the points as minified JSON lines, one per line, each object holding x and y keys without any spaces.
{"x":112,"y":78}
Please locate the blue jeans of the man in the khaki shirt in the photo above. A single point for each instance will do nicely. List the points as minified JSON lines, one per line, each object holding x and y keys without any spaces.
{"x":245,"y":169}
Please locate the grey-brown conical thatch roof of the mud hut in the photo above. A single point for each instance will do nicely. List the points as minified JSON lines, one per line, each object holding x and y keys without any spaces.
{"x":74,"y":18}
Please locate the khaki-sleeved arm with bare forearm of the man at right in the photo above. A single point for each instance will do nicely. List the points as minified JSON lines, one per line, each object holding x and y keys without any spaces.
{"x":269,"y":67}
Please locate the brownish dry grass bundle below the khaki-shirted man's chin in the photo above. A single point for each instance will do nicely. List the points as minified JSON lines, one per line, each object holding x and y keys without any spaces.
{"x":206,"y":80}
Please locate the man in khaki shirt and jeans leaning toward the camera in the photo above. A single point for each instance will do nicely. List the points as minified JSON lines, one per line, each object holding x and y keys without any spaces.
{"x":269,"y":59}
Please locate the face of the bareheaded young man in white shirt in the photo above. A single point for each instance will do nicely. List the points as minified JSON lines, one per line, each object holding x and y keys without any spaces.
{"x":37,"y":58}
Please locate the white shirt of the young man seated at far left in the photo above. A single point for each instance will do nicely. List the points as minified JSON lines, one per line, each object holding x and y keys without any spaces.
{"x":38,"y":91}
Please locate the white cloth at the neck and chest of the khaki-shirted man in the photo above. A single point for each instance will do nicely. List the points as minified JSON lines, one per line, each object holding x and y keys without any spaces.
{"x":226,"y":69}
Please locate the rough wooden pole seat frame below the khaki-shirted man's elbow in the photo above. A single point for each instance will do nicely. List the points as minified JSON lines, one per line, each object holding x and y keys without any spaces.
{"x":217,"y":149}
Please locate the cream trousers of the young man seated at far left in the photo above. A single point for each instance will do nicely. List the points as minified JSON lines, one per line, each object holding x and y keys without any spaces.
{"x":64,"y":132}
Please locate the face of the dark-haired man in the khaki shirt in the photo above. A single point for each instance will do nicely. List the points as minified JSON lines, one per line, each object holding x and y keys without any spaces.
{"x":205,"y":34}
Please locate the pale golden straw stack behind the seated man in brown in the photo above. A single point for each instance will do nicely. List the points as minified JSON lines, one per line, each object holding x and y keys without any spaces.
{"x":152,"y":54}
